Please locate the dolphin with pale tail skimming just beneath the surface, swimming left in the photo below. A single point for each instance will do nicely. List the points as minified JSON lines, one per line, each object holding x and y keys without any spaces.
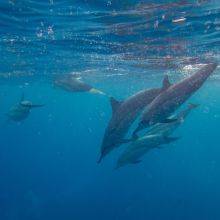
{"x":72,"y":83}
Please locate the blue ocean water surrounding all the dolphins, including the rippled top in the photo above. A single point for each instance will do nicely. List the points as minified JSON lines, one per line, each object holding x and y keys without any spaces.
{"x":48,"y":162}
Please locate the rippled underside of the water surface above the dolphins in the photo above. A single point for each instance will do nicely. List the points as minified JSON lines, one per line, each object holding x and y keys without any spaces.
{"x":50,"y":37}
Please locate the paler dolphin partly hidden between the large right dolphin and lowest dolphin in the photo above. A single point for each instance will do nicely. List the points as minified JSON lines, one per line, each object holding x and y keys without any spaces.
{"x":167,"y":129}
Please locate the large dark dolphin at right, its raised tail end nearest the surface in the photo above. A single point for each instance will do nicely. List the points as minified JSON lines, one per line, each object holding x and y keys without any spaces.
{"x":174,"y":96}
